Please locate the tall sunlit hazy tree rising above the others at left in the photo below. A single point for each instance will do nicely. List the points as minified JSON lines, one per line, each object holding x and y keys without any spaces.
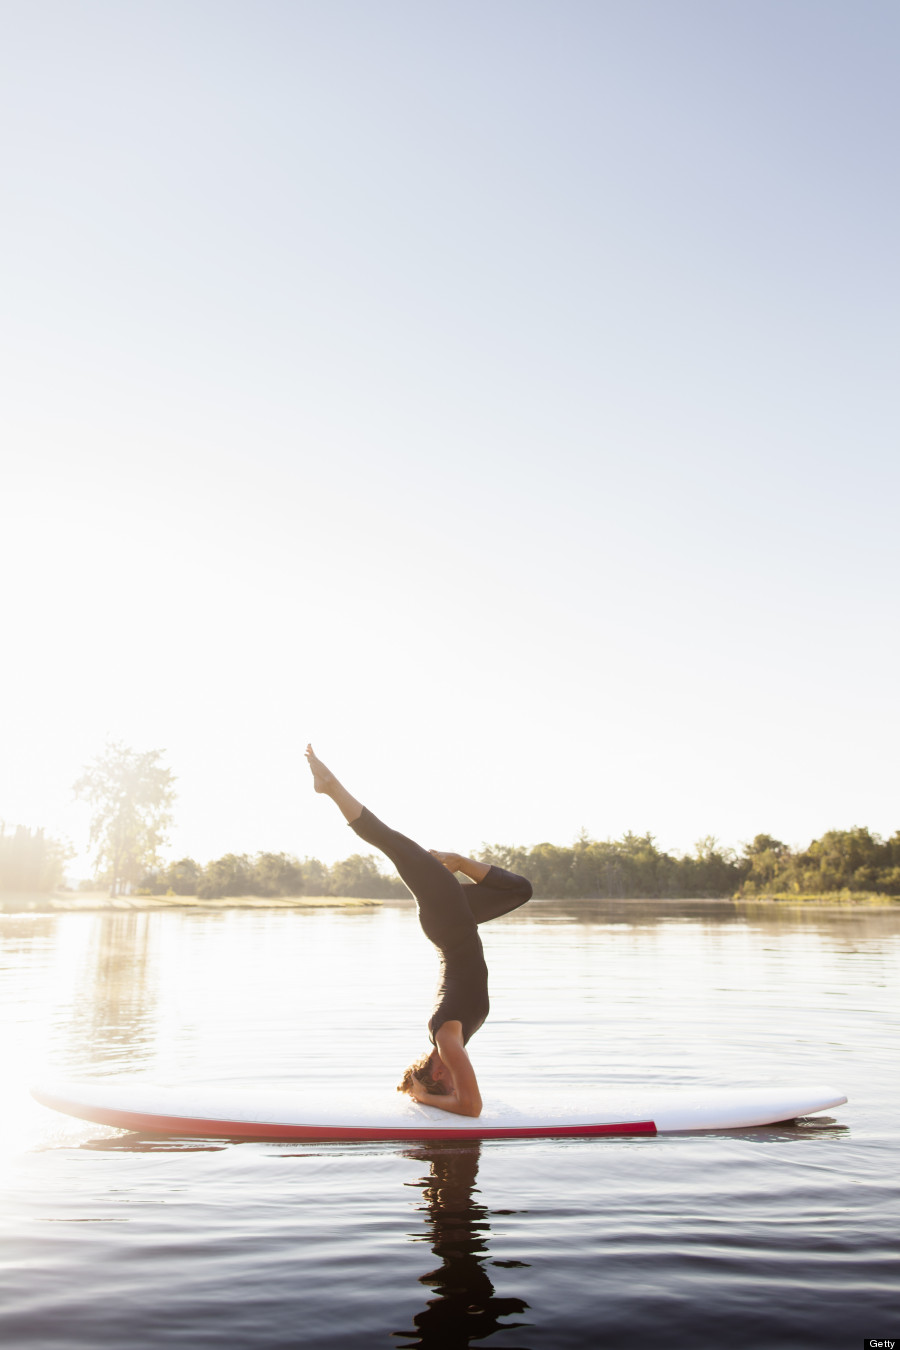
{"x":132,"y":796}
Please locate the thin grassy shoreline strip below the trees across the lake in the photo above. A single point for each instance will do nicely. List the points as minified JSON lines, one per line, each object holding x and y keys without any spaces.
{"x":98,"y":902}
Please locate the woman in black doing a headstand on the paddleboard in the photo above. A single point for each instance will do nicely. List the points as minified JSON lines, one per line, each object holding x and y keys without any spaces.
{"x":450,"y":915}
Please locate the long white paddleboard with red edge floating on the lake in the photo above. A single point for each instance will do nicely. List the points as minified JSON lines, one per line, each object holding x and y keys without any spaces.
{"x":322,"y":1114}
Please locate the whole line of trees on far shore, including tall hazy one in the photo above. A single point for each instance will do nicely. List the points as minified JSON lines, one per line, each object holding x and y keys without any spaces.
{"x":132,"y":796}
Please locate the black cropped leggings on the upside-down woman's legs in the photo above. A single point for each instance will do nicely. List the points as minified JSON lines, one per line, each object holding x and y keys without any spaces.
{"x":447,"y":911}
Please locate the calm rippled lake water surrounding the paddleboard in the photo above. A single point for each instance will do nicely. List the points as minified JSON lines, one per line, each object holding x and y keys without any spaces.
{"x":760,"y":1239}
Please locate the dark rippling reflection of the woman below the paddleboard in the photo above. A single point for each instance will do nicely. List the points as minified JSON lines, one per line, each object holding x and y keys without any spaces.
{"x":458,"y":1228}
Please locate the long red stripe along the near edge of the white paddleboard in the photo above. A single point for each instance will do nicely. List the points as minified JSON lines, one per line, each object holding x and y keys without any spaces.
{"x":248,"y":1131}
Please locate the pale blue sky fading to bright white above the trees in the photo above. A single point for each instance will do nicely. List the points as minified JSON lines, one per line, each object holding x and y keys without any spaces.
{"x":501,"y":396}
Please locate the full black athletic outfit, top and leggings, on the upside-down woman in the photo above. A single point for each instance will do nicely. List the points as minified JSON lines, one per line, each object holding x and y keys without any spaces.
{"x":450,"y":916}
